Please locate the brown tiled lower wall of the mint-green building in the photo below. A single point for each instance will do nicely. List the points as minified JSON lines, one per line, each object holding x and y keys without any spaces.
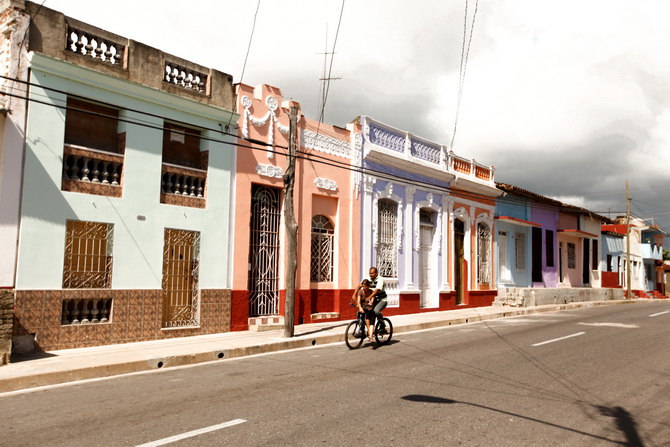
{"x":136,"y":316}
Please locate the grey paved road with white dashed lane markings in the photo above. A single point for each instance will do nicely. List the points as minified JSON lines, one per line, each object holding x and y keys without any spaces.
{"x":587,"y":377}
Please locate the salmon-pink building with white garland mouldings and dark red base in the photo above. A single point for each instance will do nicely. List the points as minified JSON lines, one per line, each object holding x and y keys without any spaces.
{"x":326,"y":211}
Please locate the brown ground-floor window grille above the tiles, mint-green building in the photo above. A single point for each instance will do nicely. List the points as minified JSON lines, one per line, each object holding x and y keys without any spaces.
{"x":88,"y":255}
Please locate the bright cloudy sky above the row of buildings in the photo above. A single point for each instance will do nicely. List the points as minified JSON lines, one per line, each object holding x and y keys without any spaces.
{"x":568,"y":99}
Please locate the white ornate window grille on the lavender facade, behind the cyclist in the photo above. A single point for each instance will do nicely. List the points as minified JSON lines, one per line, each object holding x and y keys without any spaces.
{"x":387,"y":251}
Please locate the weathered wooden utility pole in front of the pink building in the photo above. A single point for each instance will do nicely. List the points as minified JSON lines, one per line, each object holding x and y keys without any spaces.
{"x":291,"y":225}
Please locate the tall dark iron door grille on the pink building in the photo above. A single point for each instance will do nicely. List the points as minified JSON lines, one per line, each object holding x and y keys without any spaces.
{"x":264,"y":251}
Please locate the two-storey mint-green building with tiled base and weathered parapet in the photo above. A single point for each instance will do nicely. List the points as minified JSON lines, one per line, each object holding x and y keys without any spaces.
{"x":125,"y":216}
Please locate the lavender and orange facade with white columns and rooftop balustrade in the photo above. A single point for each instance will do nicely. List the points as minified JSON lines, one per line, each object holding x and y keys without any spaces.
{"x":426,"y":220}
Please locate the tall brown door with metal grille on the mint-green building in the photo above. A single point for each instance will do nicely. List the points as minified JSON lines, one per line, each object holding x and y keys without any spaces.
{"x":181,"y":261}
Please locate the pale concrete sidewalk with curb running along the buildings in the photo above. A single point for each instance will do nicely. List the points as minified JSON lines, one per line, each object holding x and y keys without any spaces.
{"x":70,"y":365}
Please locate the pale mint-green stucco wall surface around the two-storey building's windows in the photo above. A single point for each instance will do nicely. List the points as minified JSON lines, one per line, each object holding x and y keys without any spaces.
{"x":138,"y":216}
